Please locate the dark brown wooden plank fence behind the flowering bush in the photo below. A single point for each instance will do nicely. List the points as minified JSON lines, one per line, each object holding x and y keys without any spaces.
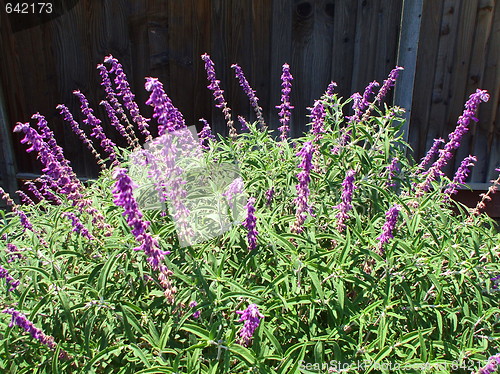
{"x":351,"y":42}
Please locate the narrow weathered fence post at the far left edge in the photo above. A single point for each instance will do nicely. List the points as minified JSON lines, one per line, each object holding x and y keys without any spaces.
{"x":7,"y":158}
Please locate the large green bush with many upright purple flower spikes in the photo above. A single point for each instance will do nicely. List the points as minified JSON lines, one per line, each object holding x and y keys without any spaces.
{"x":347,"y":251}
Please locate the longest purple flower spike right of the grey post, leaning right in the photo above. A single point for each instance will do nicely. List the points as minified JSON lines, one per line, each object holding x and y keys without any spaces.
{"x":454,"y":138}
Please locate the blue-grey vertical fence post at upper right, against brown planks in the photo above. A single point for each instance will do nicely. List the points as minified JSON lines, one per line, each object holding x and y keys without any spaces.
{"x":407,"y":58}
